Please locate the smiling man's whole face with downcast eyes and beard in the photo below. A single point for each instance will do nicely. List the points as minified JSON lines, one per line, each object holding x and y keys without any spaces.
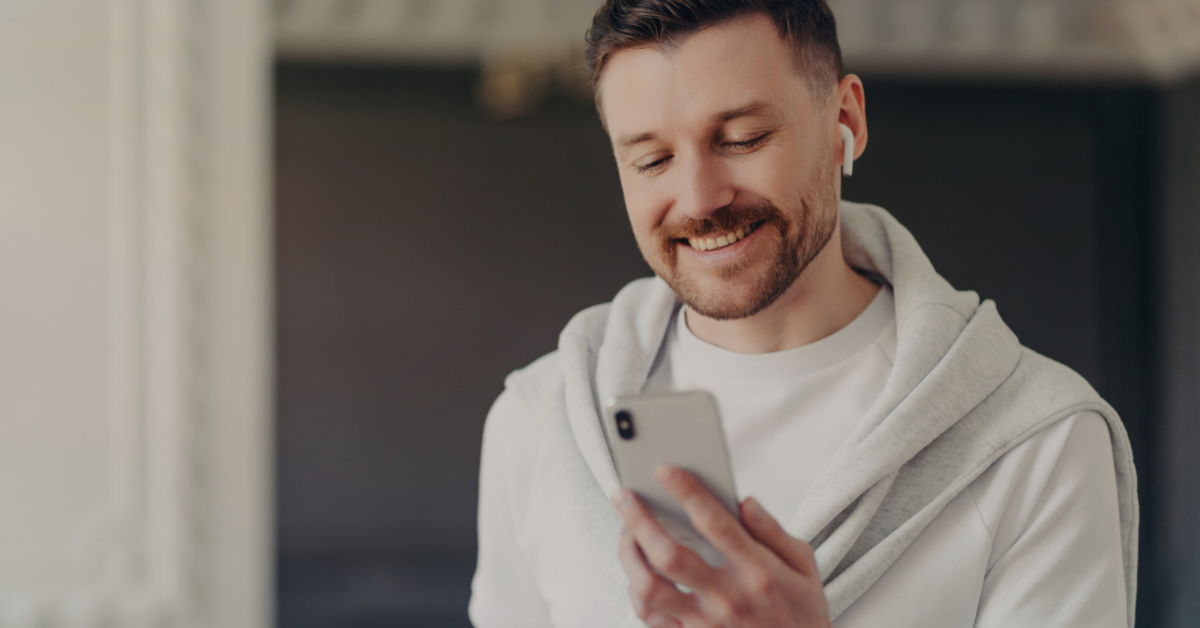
{"x":721,"y":137}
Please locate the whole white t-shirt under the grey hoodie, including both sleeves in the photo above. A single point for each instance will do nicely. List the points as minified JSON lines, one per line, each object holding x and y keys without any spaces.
{"x":1035,"y":541}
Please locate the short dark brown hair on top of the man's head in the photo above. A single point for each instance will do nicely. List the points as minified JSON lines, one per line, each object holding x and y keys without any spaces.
{"x":807,"y":26}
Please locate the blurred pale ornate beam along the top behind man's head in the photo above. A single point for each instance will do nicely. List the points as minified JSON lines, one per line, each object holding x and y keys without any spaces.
{"x":1153,"y":41}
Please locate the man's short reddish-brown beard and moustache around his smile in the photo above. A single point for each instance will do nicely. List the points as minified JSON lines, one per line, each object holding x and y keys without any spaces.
{"x":801,"y":234}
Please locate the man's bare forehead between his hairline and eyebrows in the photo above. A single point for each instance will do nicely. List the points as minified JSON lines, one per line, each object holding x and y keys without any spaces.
{"x":719,"y":69}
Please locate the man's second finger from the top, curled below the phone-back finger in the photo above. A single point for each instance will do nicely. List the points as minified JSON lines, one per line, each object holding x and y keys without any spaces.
{"x":663,"y":553}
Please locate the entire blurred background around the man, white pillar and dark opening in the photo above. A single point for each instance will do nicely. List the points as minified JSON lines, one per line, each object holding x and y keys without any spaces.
{"x":265,"y":267}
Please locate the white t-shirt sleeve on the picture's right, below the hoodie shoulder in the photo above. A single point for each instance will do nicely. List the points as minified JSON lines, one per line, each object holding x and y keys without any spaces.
{"x":1057,"y":553}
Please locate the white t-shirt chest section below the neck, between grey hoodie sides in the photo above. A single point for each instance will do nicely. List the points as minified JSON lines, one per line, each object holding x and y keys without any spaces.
{"x":785,"y":414}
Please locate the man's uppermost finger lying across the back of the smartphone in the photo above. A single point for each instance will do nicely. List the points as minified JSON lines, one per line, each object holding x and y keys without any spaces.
{"x":709,"y":516}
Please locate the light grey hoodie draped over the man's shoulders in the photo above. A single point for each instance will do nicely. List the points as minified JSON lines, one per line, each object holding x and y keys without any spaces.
{"x":963,"y":393}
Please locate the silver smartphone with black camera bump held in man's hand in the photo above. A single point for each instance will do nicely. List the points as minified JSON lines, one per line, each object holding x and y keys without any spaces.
{"x":680,"y":429}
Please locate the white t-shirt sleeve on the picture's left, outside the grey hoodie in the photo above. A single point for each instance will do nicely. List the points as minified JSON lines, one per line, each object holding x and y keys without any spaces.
{"x":505,"y":591}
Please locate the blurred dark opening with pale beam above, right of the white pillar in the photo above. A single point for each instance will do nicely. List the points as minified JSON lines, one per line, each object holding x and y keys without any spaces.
{"x":447,"y":200}
